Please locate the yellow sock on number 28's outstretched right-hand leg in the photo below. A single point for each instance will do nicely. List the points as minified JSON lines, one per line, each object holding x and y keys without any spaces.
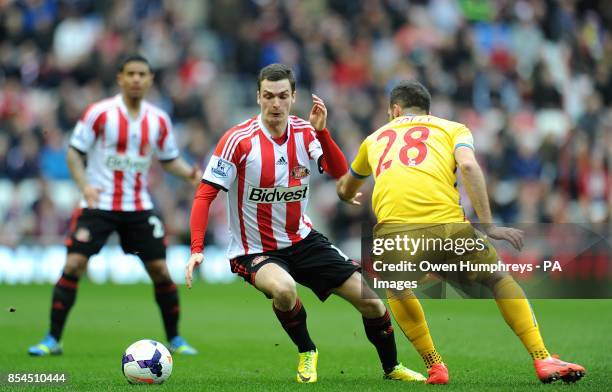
{"x":517,"y":312}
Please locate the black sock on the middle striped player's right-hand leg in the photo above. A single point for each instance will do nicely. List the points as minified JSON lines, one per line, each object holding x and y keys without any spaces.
{"x":380,"y":333}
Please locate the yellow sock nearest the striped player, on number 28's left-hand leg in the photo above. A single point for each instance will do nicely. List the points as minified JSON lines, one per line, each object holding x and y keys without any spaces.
{"x":408,"y":313}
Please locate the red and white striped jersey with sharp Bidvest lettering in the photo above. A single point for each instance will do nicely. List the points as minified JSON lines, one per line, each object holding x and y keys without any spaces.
{"x":267,"y":184}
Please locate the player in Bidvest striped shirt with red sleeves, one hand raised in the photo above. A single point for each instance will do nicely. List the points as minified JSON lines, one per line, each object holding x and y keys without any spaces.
{"x":264,"y":165}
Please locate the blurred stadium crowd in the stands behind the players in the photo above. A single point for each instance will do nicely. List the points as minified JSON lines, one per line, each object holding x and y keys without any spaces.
{"x":532,"y":79}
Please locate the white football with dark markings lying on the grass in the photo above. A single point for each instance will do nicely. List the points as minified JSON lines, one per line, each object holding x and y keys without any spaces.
{"x":146,"y":362}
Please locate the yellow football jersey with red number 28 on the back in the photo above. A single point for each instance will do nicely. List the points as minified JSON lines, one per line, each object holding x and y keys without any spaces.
{"x":413,"y":163}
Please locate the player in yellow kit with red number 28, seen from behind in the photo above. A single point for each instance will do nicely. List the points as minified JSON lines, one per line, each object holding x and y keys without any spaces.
{"x":414,"y":159}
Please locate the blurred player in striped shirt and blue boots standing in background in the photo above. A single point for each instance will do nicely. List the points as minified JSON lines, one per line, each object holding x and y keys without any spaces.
{"x":118,"y":137}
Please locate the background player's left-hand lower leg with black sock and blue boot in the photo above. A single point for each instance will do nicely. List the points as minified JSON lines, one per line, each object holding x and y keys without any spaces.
{"x":64,"y":296}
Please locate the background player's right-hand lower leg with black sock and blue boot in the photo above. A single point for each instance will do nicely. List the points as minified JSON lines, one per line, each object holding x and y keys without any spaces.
{"x":166,"y":296}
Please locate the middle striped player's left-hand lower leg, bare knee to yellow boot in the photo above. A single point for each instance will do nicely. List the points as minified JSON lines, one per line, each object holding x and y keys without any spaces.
{"x":277,"y":284}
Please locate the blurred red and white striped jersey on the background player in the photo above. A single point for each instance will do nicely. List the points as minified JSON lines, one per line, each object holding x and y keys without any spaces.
{"x":119,"y":151}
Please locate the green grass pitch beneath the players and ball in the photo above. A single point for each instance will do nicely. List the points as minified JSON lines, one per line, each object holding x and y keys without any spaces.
{"x":242,"y":347}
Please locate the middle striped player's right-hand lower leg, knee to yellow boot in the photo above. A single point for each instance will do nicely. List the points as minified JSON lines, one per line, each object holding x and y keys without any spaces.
{"x":378,"y":328}
